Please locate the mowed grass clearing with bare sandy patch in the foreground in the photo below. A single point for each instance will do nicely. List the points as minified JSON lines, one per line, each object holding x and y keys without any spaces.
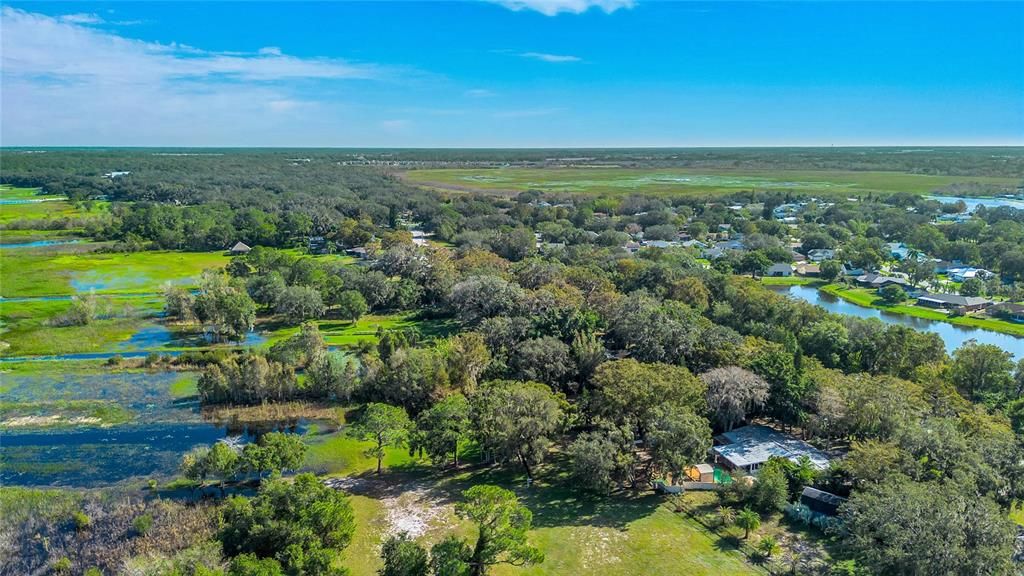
{"x":625,"y":534}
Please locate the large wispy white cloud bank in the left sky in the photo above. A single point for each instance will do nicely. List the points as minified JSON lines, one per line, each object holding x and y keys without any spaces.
{"x":63,"y":83}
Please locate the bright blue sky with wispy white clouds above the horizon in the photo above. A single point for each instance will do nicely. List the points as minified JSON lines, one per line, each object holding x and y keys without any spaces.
{"x":516,"y":73}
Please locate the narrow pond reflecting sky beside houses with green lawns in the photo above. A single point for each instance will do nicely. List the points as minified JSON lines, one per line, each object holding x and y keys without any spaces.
{"x":953,"y":335}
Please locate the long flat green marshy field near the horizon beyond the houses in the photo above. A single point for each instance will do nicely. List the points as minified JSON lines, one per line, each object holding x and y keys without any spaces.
{"x":681,"y":182}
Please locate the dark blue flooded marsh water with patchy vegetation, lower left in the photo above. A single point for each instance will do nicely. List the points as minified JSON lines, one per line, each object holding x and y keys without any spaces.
{"x":165,"y":425}
